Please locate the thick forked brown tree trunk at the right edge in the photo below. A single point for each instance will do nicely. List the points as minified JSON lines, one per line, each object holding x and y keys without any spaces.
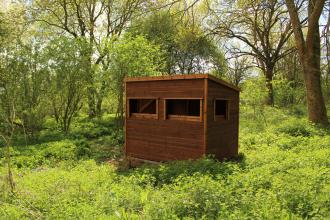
{"x":309,"y":53}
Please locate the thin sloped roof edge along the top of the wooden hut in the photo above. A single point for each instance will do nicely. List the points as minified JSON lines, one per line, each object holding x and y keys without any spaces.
{"x":183,"y":76}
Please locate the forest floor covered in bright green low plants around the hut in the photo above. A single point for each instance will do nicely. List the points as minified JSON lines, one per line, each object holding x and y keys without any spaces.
{"x":283,"y":173}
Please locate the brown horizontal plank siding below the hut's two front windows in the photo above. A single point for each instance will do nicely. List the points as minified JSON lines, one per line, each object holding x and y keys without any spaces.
{"x":167,"y":139}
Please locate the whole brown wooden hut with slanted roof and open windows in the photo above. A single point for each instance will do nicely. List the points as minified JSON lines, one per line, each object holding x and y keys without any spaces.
{"x":180,"y":117}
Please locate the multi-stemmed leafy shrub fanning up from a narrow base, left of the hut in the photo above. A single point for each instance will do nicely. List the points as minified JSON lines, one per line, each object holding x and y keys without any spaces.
{"x":67,"y":80}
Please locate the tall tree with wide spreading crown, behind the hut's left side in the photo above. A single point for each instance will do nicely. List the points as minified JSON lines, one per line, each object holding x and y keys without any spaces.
{"x":95,"y":22}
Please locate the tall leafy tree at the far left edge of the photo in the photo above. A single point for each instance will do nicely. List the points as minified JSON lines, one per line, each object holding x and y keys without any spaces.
{"x":22,"y":75}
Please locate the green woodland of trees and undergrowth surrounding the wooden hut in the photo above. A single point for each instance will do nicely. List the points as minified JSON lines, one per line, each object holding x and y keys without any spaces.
{"x":62,"y":68}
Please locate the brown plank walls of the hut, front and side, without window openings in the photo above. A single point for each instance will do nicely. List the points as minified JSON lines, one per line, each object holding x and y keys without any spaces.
{"x":164,"y":139}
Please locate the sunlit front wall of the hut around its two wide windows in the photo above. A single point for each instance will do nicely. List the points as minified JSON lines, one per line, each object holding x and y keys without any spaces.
{"x":160,"y":139}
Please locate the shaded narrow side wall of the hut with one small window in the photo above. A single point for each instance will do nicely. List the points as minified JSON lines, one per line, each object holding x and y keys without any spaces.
{"x":222,"y":136}
